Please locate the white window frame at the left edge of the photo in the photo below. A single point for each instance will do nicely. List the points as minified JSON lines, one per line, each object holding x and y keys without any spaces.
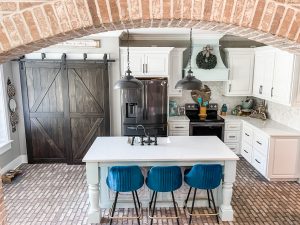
{"x":4,"y":146}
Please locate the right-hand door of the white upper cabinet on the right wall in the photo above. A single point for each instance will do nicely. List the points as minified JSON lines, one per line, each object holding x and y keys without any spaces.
{"x":282,"y":80}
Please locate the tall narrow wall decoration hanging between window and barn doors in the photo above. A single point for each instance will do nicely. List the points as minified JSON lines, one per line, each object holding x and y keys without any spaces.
{"x":12,"y":105}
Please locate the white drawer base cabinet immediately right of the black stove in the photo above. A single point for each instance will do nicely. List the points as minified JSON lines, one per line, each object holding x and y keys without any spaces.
{"x":232,"y":135}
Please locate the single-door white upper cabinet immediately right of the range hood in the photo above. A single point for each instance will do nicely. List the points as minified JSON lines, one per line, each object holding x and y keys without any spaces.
{"x":240,"y":63}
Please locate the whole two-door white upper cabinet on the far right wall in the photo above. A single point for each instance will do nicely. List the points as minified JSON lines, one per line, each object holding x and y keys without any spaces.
{"x":276,"y":76}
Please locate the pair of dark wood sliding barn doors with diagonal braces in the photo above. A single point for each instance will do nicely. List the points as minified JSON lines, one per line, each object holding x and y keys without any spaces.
{"x":66,"y":106}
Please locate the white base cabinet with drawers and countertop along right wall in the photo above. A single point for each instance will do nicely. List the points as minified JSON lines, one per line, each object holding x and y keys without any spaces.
{"x":270,"y":147}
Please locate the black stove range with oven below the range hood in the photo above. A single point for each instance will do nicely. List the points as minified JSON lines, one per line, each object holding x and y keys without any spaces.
{"x":212,"y":125}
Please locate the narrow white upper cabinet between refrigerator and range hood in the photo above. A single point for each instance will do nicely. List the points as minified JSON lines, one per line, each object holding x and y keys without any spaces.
{"x":176,"y":71}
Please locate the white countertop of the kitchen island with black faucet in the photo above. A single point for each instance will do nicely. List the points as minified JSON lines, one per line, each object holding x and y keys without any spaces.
{"x":169,"y":149}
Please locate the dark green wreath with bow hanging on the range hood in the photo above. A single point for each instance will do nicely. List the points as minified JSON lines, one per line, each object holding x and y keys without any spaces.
{"x":205,"y":59}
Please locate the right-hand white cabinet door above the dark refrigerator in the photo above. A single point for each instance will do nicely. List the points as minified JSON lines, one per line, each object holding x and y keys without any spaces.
{"x":157,"y":64}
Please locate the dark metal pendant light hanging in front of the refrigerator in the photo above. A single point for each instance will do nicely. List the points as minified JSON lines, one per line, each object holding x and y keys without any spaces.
{"x":128,"y":81}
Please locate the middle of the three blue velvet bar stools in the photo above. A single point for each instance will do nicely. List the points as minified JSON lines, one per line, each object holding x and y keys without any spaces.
{"x":163,"y":179}
